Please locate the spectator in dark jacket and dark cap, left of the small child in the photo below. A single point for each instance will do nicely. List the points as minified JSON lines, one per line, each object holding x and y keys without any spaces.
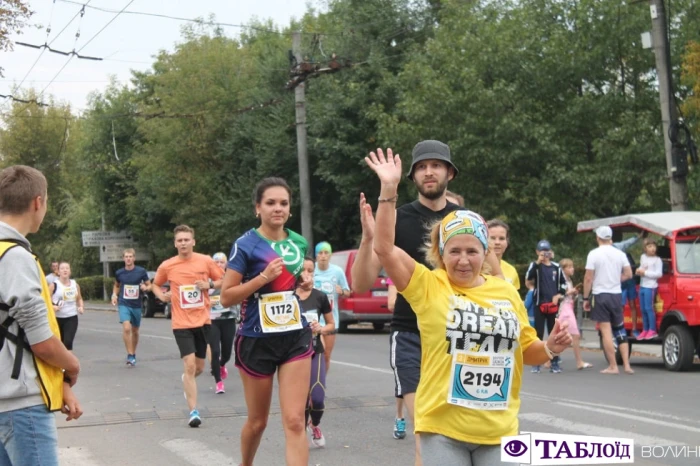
{"x":548,"y":282}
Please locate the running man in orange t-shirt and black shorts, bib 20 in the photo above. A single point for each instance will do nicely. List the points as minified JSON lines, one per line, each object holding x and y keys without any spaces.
{"x":190,"y":274}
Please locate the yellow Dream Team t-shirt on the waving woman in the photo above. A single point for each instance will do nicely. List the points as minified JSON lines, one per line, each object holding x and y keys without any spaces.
{"x":493,"y":307}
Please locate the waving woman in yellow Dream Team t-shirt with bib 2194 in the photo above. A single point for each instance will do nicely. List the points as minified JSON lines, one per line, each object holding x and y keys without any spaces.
{"x":474,"y":332}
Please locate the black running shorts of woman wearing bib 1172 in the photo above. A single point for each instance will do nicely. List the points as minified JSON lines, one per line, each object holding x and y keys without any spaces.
{"x":260,"y":357}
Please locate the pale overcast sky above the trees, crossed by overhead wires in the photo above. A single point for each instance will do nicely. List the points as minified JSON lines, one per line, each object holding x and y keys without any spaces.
{"x":129,"y":42}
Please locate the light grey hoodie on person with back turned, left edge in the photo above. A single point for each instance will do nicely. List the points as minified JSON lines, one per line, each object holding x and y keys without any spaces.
{"x":20,"y":288}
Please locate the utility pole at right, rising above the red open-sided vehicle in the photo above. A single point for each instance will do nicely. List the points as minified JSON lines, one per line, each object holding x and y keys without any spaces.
{"x":669,"y":114}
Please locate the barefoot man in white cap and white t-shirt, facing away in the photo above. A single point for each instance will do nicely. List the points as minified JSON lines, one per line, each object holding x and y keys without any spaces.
{"x":606,"y":268}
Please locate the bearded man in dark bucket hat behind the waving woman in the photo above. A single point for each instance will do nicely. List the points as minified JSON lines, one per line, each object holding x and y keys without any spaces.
{"x":431,"y":170}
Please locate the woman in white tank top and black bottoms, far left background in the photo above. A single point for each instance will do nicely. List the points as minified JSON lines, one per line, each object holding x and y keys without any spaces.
{"x":68,"y":303}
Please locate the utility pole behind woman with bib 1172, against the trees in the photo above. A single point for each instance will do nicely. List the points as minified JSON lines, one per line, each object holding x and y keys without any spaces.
{"x":302,"y":156}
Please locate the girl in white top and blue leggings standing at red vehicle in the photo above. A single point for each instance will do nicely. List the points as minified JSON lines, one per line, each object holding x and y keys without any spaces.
{"x":650,"y":270}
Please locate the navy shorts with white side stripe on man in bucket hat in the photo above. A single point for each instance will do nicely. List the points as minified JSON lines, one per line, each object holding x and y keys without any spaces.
{"x":405,"y":361}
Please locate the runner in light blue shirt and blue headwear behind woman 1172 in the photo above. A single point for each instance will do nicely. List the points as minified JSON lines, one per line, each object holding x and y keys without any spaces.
{"x":329,"y":279}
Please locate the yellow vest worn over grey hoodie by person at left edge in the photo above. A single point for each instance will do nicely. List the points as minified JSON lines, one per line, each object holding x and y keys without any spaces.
{"x":49,"y":378}
